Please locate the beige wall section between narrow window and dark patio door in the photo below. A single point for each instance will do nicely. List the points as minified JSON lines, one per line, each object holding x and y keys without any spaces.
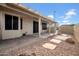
{"x":27,"y":25}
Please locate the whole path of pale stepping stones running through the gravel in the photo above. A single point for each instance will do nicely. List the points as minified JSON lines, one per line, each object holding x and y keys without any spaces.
{"x":57,"y":39}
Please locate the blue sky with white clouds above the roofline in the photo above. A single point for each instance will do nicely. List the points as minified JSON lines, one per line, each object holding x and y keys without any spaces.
{"x":63,"y":13}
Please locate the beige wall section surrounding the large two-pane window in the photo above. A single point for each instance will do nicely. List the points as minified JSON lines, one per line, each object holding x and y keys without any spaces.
{"x":6,"y":34}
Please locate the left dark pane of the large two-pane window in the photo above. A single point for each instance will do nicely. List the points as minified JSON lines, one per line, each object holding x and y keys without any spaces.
{"x":8,"y":22}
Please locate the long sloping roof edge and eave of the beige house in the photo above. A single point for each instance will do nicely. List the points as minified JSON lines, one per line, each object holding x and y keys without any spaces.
{"x":30,"y":11}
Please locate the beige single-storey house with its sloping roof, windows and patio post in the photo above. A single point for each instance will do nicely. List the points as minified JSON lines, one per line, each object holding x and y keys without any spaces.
{"x":17,"y":21}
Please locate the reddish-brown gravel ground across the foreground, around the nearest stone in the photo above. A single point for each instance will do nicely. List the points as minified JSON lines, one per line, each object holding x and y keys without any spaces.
{"x":36,"y":49}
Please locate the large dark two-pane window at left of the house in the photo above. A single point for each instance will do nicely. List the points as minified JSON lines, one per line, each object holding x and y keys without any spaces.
{"x":11,"y":22}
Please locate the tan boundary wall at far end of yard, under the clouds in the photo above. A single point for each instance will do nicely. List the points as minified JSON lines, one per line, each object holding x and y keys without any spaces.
{"x":66,"y":29}
